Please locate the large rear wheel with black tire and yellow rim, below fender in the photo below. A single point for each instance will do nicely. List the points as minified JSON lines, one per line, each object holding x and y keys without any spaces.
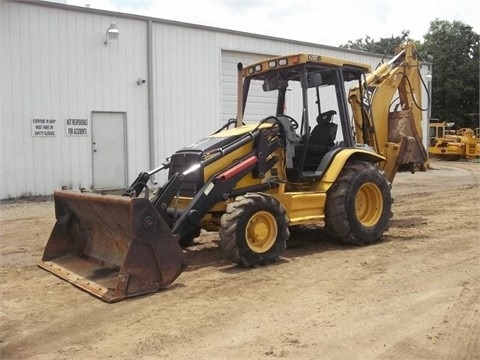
{"x":359,"y":205}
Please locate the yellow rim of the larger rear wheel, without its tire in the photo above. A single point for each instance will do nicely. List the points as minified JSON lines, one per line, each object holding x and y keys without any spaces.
{"x":369,"y":204}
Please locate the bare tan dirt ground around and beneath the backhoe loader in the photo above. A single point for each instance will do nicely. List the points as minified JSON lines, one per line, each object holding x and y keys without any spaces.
{"x":415,"y":295}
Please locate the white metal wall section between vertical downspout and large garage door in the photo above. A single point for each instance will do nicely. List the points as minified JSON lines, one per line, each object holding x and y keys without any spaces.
{"x":186,"y":73}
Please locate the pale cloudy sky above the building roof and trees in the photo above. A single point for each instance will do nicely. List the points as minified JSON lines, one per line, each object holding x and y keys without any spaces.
{"x":333,"y":22}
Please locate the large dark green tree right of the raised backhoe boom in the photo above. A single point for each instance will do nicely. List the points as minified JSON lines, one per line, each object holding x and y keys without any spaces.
{"x":453,"y":49}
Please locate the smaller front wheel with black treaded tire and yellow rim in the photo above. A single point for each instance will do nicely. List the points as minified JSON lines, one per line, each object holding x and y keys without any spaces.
{"x":254,"y":230}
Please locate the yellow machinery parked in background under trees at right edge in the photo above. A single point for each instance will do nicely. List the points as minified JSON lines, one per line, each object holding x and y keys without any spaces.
{"x":453,"y":145}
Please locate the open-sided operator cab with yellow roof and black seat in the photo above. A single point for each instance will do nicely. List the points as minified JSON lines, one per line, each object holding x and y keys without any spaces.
{"x":316,"y":94}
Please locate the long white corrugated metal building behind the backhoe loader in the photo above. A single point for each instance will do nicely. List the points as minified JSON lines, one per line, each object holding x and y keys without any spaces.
{"x":81,"y":110}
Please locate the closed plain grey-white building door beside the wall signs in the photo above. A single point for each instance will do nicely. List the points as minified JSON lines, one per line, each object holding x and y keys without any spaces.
{"x":109,"y":150}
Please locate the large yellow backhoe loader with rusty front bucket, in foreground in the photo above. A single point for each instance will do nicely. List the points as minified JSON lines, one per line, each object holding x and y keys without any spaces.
{"x":257,"y":176}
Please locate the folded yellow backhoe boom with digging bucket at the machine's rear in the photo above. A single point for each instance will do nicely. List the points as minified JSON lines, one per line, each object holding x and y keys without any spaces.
{"x":397,"y":134}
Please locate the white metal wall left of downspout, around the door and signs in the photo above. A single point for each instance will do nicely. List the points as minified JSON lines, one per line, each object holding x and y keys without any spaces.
{"x":55,"y":66}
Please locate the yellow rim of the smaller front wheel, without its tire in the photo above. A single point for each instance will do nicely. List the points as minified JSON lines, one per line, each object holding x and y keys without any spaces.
{"x":261,"y":232}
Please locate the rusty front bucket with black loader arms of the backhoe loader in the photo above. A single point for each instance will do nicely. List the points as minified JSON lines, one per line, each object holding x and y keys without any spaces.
{"x":116,"y":247}
